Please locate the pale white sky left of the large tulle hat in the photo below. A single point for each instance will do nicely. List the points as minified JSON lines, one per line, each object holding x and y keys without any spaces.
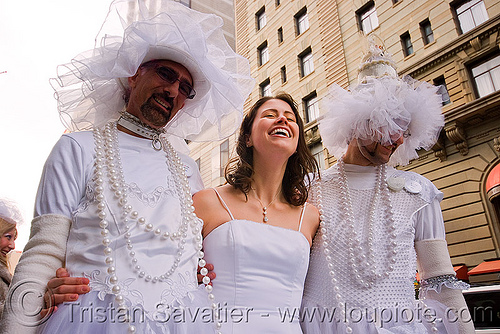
{"x":35,"y":37}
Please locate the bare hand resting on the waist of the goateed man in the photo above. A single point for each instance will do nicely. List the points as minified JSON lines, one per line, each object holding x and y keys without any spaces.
{"x":63,"y":288}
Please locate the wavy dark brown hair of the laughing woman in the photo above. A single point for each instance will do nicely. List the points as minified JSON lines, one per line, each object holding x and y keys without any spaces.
{"x":296,"y":181}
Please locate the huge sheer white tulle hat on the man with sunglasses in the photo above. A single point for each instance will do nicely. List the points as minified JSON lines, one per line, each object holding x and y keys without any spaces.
{"x":90,"y":89}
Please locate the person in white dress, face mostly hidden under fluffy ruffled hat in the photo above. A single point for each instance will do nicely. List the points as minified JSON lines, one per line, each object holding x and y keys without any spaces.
{"x":379,"y":223}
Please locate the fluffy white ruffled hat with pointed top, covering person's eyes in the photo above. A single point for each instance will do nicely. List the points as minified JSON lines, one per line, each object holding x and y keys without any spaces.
{"x":380,"y":106}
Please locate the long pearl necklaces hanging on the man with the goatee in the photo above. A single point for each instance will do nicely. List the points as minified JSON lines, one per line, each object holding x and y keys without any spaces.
{"x":108,"y":166}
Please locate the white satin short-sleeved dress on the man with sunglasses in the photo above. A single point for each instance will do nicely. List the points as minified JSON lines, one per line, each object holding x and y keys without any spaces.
{"x":67,"y":188}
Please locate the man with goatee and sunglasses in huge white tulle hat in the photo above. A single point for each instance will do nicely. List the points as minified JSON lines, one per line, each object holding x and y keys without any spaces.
{"x":114,"y":203}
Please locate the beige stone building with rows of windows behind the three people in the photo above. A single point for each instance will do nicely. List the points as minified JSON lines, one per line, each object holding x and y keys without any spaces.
{"x":304,"y":46}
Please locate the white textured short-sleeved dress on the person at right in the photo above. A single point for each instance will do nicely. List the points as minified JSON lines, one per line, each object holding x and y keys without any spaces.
{"x":388,"y":304}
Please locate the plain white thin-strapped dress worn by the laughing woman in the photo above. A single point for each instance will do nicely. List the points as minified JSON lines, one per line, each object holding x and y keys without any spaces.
{"x":261,"y":271}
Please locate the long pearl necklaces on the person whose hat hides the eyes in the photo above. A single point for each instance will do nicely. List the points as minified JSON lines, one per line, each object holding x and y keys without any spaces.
{"x":327,"y":237}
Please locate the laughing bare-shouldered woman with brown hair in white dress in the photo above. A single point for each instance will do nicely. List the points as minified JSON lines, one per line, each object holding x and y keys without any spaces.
{"x":258,"y":228}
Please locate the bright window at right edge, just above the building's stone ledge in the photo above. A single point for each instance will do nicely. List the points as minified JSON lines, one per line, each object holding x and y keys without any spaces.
{"x":487,"y":76}
